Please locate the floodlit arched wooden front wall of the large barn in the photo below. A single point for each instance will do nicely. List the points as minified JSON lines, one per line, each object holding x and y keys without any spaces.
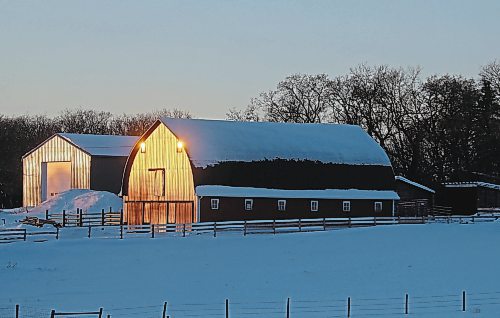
{"x":141,"y":204}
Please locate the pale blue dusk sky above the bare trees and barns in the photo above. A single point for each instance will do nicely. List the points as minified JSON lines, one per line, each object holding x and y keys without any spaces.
{"x":208,"y":56}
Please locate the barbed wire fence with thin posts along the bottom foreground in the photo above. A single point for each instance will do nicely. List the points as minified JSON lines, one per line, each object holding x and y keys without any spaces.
{"x":416,"y":306}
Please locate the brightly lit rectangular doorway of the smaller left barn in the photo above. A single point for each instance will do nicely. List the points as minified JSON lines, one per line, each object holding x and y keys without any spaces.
{"x":56,"y":178}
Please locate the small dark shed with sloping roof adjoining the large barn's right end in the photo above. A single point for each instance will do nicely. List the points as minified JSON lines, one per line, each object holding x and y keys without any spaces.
{"x":415,"y":198}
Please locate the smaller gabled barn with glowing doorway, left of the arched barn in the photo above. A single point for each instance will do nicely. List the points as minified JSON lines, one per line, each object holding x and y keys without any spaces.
{"x":74,"y":161}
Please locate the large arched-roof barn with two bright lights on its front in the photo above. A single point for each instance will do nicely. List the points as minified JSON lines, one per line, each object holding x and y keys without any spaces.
{"x":192,"y":170}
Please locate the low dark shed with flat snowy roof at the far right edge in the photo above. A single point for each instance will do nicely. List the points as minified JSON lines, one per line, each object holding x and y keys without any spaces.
{"x":470,"y":197}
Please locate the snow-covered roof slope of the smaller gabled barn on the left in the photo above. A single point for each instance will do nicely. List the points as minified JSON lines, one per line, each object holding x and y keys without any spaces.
{"x":102,"y":145}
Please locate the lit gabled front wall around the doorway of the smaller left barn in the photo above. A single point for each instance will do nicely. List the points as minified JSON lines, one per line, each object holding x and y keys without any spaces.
{"x":54,"y":149}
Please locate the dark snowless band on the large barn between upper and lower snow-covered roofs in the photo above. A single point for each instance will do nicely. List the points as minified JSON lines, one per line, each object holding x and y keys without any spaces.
{"x":291,"y":175}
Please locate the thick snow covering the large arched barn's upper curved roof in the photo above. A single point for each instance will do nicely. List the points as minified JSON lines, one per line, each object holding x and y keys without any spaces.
{"x":212,"y":141}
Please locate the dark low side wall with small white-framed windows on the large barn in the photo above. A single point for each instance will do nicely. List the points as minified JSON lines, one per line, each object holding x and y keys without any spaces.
{"x":232,"y":209}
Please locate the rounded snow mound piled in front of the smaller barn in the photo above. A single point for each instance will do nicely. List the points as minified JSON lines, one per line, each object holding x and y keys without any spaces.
{"x":87,"y":200}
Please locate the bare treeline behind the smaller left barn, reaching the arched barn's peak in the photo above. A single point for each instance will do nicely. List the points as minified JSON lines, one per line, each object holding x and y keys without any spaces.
{"x":20,"y":134}
